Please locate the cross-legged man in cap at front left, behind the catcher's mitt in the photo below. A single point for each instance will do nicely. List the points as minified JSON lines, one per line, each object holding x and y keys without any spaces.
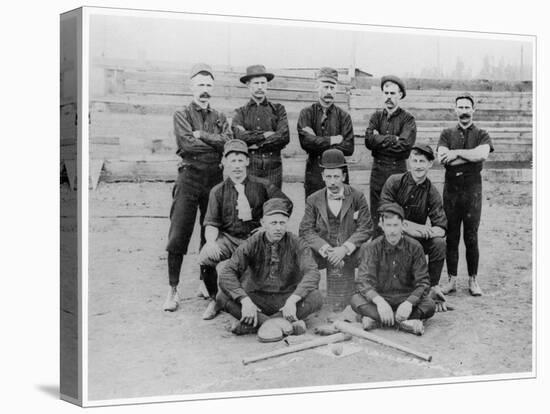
{"x":270,"y":274}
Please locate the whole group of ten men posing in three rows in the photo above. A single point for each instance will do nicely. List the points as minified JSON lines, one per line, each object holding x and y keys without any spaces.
{"x":254,"y":268}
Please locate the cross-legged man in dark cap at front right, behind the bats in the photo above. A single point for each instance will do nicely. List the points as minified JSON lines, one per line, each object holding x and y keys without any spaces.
{"x":393,"y":279}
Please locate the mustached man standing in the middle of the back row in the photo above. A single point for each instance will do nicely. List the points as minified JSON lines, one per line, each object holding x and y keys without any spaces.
{"x":322,"y":126}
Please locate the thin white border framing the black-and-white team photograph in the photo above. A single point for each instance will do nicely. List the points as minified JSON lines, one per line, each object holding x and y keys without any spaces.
{"x":363,"y":27}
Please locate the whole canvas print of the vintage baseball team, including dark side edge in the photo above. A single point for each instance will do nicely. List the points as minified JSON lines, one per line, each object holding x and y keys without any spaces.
{"x":274,"y":206}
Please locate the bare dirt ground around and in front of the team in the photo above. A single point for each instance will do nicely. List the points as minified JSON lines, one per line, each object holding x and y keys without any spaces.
{"x":137,"y":350}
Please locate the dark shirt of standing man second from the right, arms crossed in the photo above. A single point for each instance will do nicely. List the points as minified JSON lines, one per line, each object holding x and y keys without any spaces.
{"x":396,"y":134}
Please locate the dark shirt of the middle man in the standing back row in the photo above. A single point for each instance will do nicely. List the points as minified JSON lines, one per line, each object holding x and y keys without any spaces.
{"x":334,"y":122}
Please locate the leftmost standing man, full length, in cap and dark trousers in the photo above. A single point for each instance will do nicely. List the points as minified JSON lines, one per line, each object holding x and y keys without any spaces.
{"x":201,"y":133}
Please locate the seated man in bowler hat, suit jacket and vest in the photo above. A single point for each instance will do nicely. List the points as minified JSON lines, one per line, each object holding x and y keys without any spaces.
{"x":336,"y":219}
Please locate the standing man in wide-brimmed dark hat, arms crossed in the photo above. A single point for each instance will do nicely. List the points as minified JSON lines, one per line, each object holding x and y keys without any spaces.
{"x":263,"y":126}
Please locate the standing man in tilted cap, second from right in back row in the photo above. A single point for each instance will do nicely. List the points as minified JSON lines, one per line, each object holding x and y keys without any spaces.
{"x":390,"y":136}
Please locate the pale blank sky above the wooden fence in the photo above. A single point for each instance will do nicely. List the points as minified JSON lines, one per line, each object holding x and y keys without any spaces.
{"x":377,"y":50}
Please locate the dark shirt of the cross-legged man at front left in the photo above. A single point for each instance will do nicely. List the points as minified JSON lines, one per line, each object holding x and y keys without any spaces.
{"x":263,"y":267}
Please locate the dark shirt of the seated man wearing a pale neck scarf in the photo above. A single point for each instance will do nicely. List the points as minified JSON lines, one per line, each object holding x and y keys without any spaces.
{"x":222,"y":205}
